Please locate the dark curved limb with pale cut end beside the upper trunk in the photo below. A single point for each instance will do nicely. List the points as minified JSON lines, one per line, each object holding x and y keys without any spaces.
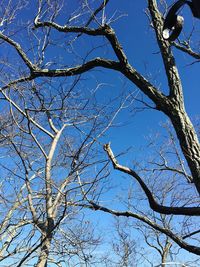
{"x":173,"y":23}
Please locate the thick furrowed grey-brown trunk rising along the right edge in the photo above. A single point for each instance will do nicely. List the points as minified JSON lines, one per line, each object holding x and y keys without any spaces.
{"x":173,"y":107}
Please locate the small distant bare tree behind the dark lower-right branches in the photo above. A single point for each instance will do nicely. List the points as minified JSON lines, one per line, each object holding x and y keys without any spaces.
{"x":152,"y":247}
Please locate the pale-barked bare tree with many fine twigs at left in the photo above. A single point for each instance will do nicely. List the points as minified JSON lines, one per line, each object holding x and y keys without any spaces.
{"x":50,"y":129}
